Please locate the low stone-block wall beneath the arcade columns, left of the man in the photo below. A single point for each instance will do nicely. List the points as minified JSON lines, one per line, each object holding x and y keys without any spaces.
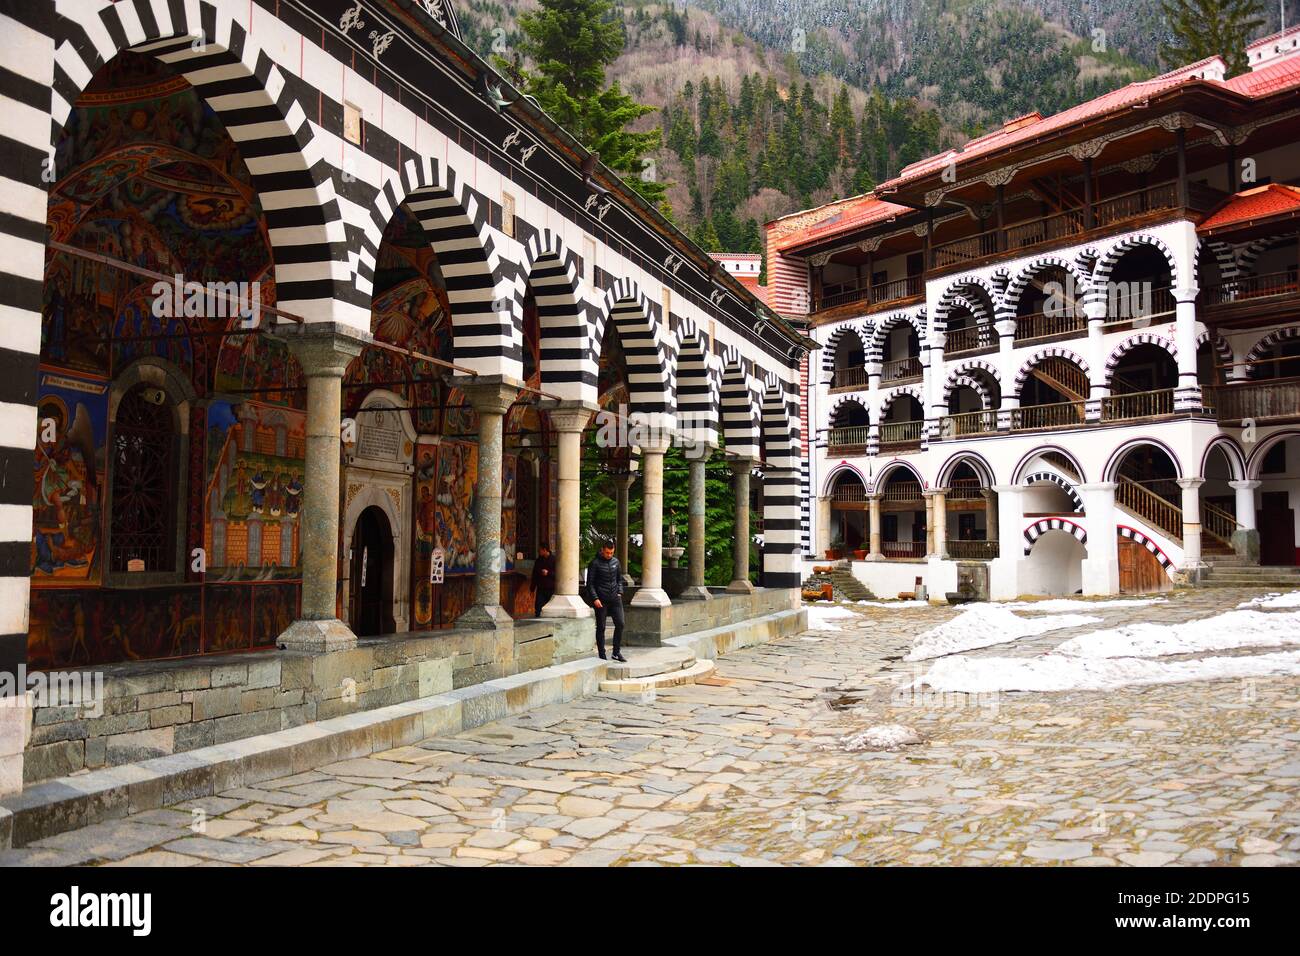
{"x":171,"y":707}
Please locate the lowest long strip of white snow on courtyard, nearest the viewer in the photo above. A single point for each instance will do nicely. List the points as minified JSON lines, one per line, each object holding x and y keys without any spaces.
{"x":1061,"y":673}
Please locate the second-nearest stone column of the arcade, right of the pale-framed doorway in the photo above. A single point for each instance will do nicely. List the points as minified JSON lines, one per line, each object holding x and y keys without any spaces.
{"x":492,"y":397}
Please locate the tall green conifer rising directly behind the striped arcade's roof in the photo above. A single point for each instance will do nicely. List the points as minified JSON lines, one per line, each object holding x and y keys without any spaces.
{"x":571,"y":45}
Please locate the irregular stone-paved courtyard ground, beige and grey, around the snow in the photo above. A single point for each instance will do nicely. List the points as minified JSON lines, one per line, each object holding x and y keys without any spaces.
{"x":749,"y":769}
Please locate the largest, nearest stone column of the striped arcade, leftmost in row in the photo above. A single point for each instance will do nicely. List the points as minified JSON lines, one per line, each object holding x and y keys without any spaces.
{"x":323,"y":351}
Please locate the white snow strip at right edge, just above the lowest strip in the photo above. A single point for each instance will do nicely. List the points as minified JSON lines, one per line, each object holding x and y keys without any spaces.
{"x":1240,"y":629}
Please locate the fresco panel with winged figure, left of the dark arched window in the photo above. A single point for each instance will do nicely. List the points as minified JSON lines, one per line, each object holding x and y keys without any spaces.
{"x":72,"y":430}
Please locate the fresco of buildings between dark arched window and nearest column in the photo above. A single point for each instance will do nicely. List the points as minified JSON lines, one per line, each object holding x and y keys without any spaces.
{"x":254,"y":494}
